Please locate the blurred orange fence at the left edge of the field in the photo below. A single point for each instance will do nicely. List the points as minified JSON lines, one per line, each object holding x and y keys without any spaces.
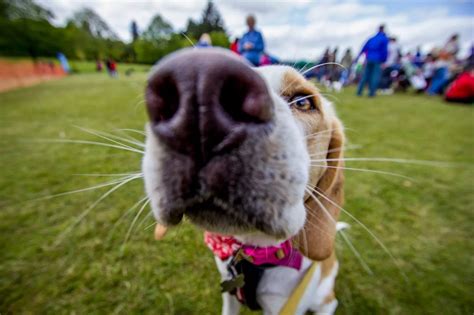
{"x":15,"y":74}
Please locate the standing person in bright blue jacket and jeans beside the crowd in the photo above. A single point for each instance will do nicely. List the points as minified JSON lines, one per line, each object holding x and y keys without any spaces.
{"x":376,"y":51}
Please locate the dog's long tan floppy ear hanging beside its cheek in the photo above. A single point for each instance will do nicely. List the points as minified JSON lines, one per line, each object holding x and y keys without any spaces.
{"x":316,"y":240}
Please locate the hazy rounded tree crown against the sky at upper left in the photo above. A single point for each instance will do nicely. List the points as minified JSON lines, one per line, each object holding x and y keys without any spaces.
{"x":92,"y":23}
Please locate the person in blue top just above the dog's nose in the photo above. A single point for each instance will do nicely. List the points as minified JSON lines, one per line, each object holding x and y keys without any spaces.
{"x":251,"y":45}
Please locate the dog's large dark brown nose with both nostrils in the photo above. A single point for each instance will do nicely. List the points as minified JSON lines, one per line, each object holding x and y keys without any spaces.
{"x":203,"y":102}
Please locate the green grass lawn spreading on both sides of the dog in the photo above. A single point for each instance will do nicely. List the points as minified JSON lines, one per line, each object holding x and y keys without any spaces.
{"x":425,"y":222}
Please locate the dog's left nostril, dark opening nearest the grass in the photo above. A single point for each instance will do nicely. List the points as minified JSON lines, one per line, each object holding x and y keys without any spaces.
{"x":162,"y":98}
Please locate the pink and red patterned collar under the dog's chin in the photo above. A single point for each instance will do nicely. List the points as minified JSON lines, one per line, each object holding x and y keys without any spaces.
{"x":282,"y":255}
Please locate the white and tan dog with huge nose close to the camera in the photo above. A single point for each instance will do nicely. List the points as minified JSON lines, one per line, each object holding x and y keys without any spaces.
{"x":255,"y":156}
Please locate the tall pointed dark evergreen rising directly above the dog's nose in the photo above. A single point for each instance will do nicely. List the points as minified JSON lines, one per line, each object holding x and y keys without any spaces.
{"x":211,"y":21}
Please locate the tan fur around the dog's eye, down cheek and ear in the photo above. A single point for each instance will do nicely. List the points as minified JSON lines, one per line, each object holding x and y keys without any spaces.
{"x":325,"y":140}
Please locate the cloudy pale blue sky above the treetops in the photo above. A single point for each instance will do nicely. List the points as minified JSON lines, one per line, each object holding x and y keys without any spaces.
{"x":299,"y":29}
